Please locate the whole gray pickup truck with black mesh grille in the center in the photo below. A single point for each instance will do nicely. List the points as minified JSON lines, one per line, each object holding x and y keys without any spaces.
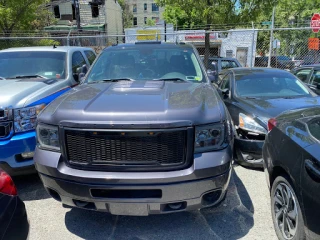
{"x":145,"y":133}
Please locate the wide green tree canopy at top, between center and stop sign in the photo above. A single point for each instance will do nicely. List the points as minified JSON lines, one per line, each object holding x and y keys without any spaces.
{"x":198,"y":14}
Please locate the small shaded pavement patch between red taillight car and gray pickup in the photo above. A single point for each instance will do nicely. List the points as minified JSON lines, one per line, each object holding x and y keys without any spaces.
{"x":30,"y":187}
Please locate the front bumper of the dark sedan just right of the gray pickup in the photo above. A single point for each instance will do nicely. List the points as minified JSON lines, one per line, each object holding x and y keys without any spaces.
{"x":249,"y":152}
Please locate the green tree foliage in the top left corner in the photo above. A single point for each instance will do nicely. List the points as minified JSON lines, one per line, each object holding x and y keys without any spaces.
{"x":21,"y":15}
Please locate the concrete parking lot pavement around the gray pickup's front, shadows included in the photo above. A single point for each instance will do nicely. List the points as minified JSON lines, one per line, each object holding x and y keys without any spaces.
{"x":245,"y":214}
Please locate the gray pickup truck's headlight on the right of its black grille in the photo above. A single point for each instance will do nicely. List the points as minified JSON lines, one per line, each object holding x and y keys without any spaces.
{"x":211,"y":137}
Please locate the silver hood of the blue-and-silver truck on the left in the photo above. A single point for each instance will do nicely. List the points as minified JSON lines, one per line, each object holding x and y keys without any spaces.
{"x":14,"y":93}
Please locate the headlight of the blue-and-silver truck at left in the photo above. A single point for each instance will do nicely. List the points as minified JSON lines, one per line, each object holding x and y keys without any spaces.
{"x":25,"y":118}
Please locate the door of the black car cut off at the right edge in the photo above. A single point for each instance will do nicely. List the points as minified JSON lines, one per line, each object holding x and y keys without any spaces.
{"x":310,"y":181}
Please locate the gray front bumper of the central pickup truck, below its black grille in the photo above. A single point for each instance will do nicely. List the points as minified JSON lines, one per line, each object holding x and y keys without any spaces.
{"x":204,"y":184}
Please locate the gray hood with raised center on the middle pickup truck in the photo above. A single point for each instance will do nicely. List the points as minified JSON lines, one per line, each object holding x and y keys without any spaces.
{"x":137,"y":102}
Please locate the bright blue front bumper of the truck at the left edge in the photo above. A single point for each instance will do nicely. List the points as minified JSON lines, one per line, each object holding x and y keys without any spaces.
{"x":11,"y":148}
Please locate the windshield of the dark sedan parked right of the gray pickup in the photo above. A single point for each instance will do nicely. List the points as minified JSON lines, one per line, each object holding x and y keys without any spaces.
{"x":270,"y":86}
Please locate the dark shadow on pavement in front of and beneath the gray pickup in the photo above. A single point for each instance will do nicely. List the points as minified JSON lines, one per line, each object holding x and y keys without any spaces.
{"x":232,"y":219}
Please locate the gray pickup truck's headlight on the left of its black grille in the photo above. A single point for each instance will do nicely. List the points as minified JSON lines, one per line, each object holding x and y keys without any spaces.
{"x":48,"y":137}
